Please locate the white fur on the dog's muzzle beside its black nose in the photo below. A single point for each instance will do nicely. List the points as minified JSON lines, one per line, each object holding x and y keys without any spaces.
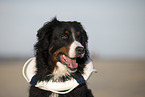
{"x":72,"y":50}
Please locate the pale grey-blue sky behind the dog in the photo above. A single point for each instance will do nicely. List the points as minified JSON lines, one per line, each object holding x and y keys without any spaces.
{"x":116,"y":28}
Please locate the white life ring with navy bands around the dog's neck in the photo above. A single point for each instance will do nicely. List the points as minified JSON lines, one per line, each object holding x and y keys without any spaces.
{"x":29,"y":72}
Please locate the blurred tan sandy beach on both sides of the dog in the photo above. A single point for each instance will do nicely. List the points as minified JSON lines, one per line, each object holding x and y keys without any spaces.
{"x":115,"y":78}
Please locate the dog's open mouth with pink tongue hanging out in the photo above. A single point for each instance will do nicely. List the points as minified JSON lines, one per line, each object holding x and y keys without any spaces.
{"x":69,"y":62}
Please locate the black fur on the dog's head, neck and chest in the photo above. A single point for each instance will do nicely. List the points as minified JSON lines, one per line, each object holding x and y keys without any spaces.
{"x":51,"y":37}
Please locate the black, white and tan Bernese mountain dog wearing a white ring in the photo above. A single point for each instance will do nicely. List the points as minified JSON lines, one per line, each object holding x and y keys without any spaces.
{"x":61,"y":53}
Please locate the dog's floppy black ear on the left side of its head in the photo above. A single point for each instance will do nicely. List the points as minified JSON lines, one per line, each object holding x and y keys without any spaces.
{"x":44,"y":34}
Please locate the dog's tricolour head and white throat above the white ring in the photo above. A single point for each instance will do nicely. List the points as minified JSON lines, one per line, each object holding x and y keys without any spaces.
{"x":62,"y":46}
